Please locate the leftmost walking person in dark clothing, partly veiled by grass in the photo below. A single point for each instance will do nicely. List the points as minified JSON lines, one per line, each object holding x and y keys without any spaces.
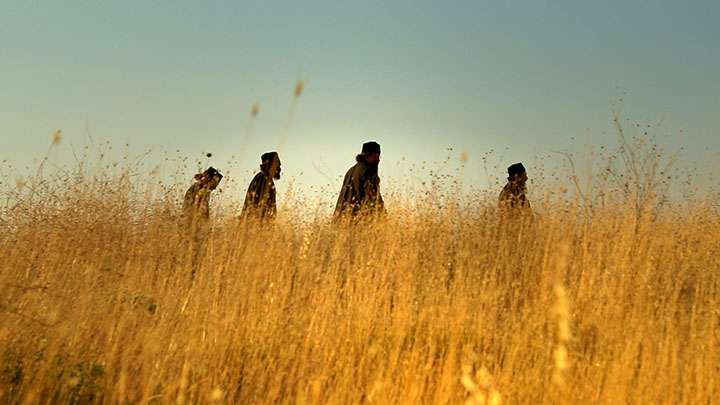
{"x":196,"y":211}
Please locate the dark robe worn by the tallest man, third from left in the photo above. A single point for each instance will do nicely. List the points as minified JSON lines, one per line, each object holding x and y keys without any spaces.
{"x":360,"y":191}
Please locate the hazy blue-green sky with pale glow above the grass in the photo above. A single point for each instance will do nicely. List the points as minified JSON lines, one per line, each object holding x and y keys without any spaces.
{"x":520,"y":78}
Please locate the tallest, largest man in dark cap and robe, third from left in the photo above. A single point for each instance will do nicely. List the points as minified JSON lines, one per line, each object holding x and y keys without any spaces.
{"x":360,"y":192}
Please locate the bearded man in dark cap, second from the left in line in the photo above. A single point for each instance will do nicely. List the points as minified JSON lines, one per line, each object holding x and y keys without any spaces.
{"x":260,"y":200}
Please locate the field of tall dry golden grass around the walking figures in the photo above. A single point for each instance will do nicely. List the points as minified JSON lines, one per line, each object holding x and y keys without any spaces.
{"x":434,"y":304}
